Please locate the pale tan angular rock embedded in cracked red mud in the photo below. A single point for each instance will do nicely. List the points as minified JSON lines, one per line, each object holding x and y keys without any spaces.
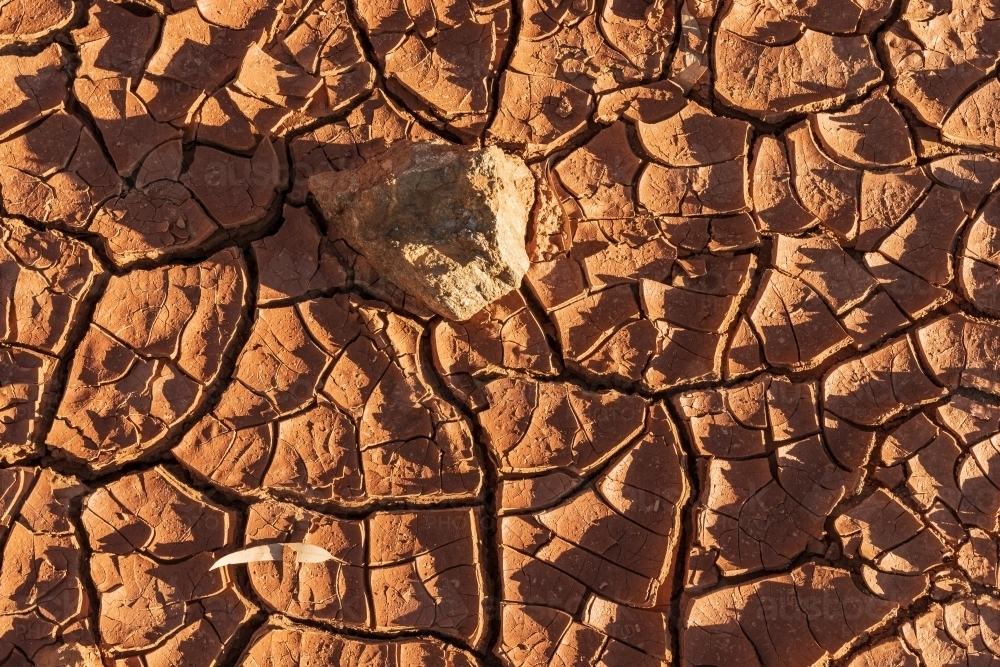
{"x":444,"y":223}
